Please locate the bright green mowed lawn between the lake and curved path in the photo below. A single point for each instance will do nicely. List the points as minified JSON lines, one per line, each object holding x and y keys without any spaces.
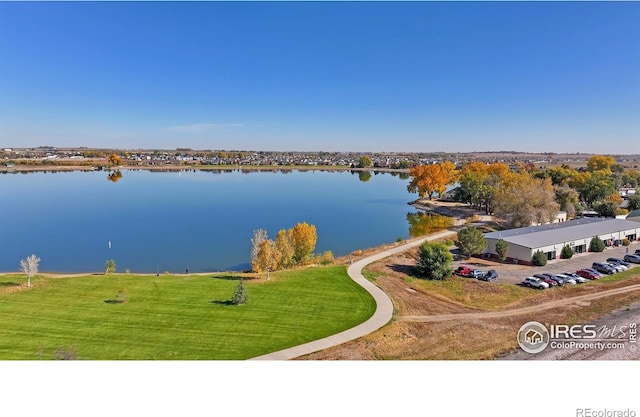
{"x":175,"y":317}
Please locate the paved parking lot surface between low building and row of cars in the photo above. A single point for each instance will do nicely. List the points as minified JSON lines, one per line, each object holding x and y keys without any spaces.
{"x":515,"y":274}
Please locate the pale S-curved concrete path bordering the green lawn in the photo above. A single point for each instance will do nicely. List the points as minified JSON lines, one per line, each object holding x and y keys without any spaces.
{"x":382,"y":315}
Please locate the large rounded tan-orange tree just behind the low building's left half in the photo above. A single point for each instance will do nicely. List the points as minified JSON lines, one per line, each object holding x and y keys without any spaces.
{"x":524,"y":200}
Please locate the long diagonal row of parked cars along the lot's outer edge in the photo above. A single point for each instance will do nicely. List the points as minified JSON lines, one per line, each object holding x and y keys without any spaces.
{"x":597,"y":270}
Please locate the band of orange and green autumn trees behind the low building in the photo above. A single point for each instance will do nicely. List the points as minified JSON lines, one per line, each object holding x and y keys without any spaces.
{"x":529,"y":195}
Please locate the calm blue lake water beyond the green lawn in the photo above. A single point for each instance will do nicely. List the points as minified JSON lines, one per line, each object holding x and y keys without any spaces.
{"x":203,"y":220}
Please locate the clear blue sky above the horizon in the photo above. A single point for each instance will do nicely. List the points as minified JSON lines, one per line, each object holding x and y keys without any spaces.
{"x":332,"y":76}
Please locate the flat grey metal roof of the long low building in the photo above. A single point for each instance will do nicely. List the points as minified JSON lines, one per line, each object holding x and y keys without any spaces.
{"x":550,"y":234}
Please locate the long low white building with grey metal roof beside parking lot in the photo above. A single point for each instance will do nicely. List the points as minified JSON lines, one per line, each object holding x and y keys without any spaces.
{"x":551,"y":238}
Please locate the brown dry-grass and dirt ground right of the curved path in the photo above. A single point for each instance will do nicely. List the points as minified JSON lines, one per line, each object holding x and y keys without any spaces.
{"x":453,"y":324}
